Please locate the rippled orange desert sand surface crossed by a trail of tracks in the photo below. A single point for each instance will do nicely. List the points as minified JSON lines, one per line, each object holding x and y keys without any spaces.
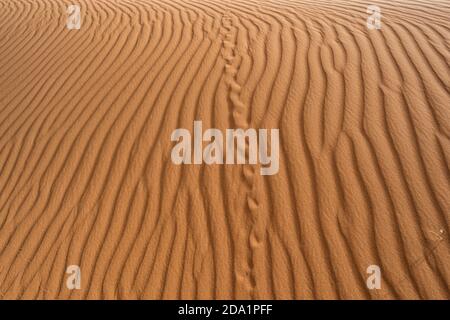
{"x":86,"y":176}
